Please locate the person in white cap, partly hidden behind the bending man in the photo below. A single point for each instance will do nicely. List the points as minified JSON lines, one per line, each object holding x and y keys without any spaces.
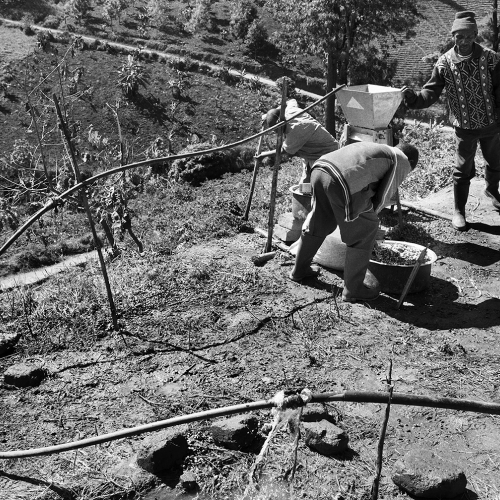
{"x":303,"y":136}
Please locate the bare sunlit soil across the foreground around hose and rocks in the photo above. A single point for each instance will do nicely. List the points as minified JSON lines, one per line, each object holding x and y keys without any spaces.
{"x":251,"y":341}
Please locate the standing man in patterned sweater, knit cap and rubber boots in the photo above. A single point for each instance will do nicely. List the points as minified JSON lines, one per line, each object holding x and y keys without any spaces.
{"x":470,"y":74}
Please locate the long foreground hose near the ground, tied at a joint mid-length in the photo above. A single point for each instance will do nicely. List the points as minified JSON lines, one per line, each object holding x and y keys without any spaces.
{"x":277,"y":402}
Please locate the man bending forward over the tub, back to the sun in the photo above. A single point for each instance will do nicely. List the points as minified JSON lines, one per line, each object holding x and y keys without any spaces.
{"x":350,"y":186}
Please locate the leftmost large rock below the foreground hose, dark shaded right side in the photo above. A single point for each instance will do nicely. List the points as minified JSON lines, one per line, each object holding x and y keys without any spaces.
{"x":163,"y":450}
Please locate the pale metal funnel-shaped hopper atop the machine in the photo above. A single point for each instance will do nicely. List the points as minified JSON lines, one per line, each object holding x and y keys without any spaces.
{"x":369,"y":106}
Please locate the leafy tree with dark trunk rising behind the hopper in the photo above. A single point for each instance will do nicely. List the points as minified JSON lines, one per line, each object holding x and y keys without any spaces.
{"x":339,"y":31}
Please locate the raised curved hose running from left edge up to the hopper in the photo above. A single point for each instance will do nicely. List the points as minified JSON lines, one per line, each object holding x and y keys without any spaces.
{"x":155,"y":161}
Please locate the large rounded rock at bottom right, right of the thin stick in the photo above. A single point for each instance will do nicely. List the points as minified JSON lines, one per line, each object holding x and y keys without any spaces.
{"x":423,"y":474}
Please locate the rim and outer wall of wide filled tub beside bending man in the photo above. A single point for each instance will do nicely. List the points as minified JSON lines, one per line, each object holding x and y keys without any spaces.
{"x":393,"y":277}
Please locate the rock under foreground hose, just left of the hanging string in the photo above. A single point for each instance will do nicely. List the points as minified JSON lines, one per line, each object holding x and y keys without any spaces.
{"x":235,"y":433}
